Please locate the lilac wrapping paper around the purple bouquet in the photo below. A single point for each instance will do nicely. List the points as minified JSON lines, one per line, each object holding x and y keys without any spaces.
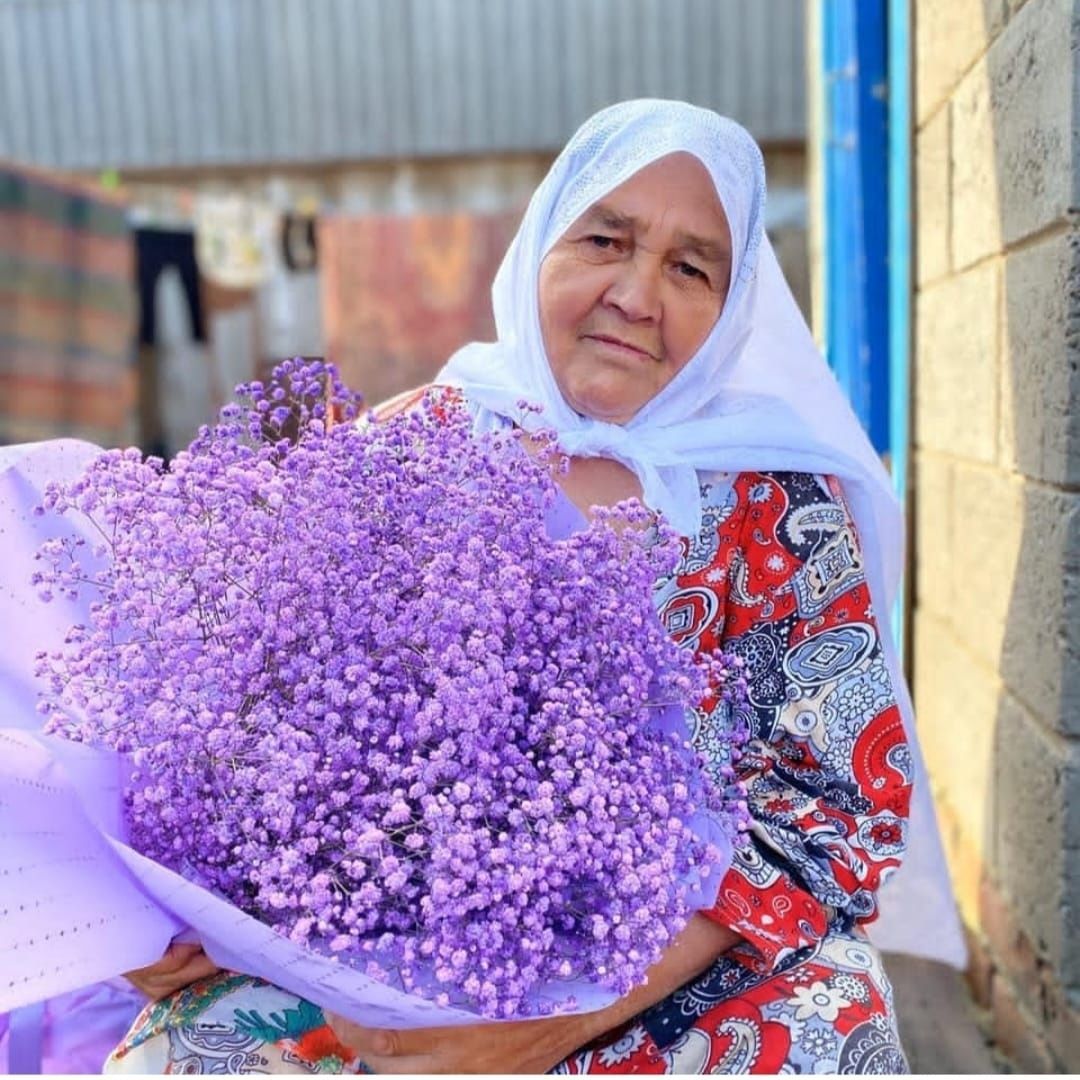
{"x":77,"y":904}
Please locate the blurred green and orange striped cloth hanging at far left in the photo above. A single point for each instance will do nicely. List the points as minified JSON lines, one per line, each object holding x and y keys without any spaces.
{"x":67,"y":310}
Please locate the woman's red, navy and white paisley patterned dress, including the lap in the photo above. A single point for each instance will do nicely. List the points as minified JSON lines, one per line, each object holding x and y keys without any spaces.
{"x":777,"y":577}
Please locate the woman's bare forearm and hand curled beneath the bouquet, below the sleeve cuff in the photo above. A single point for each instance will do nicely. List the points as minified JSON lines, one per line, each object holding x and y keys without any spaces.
{"x":533,"y":1046}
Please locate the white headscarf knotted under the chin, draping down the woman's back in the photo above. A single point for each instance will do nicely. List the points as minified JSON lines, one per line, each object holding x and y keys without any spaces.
{"x":757,"y":396}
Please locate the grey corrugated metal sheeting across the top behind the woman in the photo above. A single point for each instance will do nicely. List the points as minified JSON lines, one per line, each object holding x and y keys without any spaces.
{"x":190,"y":84}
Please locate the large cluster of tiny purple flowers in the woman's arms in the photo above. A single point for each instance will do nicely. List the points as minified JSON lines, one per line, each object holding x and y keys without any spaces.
{"x":374,"y":705}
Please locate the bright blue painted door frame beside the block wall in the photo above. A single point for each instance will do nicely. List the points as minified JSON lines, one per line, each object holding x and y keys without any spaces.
{"x":865,"y":56}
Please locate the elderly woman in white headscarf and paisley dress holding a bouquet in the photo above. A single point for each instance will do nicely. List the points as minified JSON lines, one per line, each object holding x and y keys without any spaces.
{"x":641,"y":305}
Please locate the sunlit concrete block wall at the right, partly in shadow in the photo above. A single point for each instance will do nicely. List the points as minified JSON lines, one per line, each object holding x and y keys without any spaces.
{"x":996,"y":658}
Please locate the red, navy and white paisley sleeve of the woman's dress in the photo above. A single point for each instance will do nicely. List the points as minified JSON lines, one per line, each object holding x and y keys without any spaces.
{"x":777,"y":577}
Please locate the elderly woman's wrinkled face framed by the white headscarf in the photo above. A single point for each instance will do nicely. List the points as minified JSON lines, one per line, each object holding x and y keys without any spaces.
{"x":630,"y":292}
